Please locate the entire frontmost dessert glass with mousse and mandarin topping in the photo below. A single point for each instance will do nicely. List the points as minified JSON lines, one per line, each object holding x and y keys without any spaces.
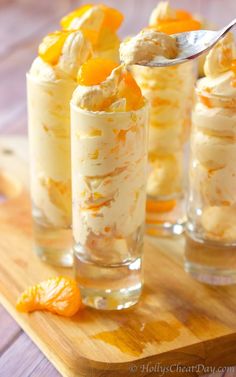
{"x":109,"y":166}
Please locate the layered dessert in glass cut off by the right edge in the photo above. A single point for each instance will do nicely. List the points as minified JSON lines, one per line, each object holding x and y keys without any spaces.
{"x":210,"y":254}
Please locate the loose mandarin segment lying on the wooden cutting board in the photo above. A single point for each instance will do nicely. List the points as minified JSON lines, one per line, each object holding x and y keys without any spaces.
{"x":59,"y":295}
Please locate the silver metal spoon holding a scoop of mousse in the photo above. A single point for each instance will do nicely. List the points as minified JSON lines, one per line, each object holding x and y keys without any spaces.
{"x":191,"y":44}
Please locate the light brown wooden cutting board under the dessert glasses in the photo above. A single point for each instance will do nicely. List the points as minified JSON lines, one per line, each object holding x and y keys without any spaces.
{"x":178,"y":321}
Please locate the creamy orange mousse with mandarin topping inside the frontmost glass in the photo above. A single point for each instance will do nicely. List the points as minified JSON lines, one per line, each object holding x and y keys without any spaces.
{"x":109,"y":153}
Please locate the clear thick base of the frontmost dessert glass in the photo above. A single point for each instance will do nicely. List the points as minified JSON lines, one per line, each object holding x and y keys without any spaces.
{"x":108,"y":287}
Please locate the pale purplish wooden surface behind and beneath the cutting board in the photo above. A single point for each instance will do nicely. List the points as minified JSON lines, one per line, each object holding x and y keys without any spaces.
{"x":23,"y":24}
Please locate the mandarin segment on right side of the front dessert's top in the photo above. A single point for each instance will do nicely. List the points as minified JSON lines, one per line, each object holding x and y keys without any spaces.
{"x":131,"y":92}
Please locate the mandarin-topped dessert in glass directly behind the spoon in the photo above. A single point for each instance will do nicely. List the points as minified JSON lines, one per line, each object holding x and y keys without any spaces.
{"x":169,"y":91}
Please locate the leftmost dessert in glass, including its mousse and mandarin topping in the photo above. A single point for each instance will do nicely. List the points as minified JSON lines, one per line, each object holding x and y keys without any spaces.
{"x":51,"y":81}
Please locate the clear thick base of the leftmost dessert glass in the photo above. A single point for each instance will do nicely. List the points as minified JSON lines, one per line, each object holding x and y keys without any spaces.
{"x":53,"y":245}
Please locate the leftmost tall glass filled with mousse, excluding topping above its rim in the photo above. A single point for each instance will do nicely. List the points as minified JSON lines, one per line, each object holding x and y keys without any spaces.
{"x":49,"y":138}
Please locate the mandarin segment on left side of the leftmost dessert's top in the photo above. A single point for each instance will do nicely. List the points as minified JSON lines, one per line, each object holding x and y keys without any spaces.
{"x":50,"y":47}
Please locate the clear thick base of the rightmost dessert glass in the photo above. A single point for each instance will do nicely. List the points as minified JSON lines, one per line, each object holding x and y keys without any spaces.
{"x":210,"y":262}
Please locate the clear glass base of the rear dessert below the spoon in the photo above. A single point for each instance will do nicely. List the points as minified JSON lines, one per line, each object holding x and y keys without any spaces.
{"x":165,"y":218}
